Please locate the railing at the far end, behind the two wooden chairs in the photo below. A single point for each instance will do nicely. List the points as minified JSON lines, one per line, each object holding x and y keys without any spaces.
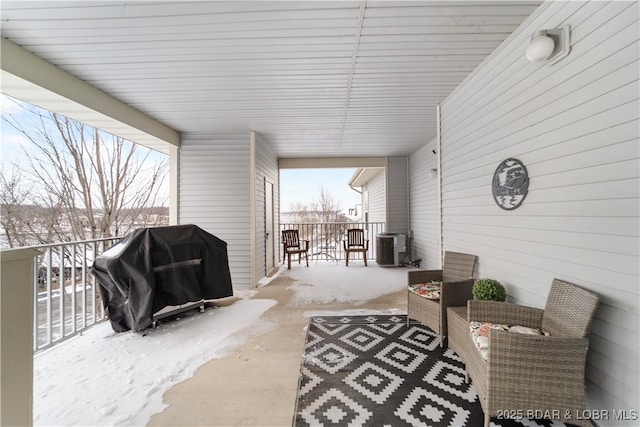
{"x":325,"y":238}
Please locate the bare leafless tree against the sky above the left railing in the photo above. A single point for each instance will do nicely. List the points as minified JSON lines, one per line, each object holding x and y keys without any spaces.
{"x":95,"y":184}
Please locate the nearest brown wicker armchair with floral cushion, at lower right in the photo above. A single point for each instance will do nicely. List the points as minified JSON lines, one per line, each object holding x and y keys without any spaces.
{"x":532,"y":376}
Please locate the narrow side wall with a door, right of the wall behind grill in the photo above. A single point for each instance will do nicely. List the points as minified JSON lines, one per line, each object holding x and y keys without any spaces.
{"x":266,"y":164}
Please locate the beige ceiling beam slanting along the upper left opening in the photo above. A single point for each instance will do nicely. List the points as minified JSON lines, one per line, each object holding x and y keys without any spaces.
{"x":30,"y":78}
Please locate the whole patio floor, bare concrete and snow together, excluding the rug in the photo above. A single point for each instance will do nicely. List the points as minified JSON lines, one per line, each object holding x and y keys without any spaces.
{"x":237,"y":364}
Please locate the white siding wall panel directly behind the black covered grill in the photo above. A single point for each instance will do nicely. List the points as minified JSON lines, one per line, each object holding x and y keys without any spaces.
{"x":215,"y":194}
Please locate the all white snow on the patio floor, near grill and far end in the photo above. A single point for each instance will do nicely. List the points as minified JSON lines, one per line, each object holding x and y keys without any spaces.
{"x":104,"y":378}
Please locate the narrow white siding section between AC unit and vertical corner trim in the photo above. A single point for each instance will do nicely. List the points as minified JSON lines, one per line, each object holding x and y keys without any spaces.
{"x":423,"y":205}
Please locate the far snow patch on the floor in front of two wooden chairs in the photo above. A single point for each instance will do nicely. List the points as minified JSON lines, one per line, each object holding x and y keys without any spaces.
{"x":328,"y":283}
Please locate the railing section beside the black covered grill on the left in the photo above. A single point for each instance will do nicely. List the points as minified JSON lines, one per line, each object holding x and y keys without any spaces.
{"x":67,"y":300}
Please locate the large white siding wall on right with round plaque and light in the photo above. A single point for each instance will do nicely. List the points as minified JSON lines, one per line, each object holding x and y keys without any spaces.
{"x":575,"y":127}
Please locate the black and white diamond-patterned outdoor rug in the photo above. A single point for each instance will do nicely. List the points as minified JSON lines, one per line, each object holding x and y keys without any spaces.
{"x":375,"y":371}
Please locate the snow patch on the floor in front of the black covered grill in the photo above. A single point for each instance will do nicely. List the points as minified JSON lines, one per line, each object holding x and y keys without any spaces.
{"x":103,"y":378}
